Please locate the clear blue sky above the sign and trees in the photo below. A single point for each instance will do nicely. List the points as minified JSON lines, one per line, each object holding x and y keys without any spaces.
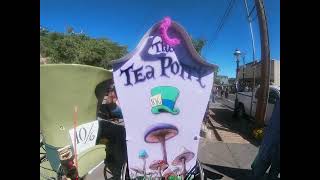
{"x":126,"y":21}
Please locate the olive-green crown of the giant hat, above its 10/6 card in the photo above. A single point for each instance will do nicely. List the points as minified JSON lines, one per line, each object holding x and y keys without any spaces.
{"x":63,"y":86}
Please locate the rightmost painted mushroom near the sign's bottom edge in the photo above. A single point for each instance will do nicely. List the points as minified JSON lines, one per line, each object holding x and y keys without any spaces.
{"x":184,"y":157}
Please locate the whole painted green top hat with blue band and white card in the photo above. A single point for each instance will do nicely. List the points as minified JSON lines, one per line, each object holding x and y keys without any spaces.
{"x":163,"y":99}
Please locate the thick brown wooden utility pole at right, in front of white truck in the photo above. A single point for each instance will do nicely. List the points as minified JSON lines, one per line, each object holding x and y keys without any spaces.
{"x":265,"y":64}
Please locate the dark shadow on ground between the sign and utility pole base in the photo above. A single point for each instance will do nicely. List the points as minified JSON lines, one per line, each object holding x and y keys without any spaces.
{"x":239,"y":126}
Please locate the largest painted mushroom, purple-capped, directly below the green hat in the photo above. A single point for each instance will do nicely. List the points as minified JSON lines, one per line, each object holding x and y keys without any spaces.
{"x":159,"y":133}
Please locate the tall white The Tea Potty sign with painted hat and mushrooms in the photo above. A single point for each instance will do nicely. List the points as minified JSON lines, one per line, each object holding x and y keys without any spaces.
{"x":164,"y":91}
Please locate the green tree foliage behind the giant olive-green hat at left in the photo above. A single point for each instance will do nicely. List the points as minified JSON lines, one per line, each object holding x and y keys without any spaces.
{"x":79,"y":48}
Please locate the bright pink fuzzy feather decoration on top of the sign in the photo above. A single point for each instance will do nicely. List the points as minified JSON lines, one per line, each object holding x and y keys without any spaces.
{"x":164,"y":26}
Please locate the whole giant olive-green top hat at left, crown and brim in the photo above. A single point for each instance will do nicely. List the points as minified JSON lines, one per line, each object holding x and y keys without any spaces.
{"x":62,"y":87}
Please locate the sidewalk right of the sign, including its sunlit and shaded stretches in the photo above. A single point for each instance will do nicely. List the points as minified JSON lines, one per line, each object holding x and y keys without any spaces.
{"x":224,"y":152}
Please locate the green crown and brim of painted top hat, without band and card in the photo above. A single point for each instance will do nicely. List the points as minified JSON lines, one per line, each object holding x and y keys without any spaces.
{"x":168,"y":93}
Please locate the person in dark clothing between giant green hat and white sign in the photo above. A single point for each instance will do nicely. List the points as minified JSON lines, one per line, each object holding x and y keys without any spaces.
{"x":111,"y":133}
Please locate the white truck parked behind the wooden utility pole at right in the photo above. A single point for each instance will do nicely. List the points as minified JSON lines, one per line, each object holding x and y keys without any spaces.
{"x":246,"y":108}
